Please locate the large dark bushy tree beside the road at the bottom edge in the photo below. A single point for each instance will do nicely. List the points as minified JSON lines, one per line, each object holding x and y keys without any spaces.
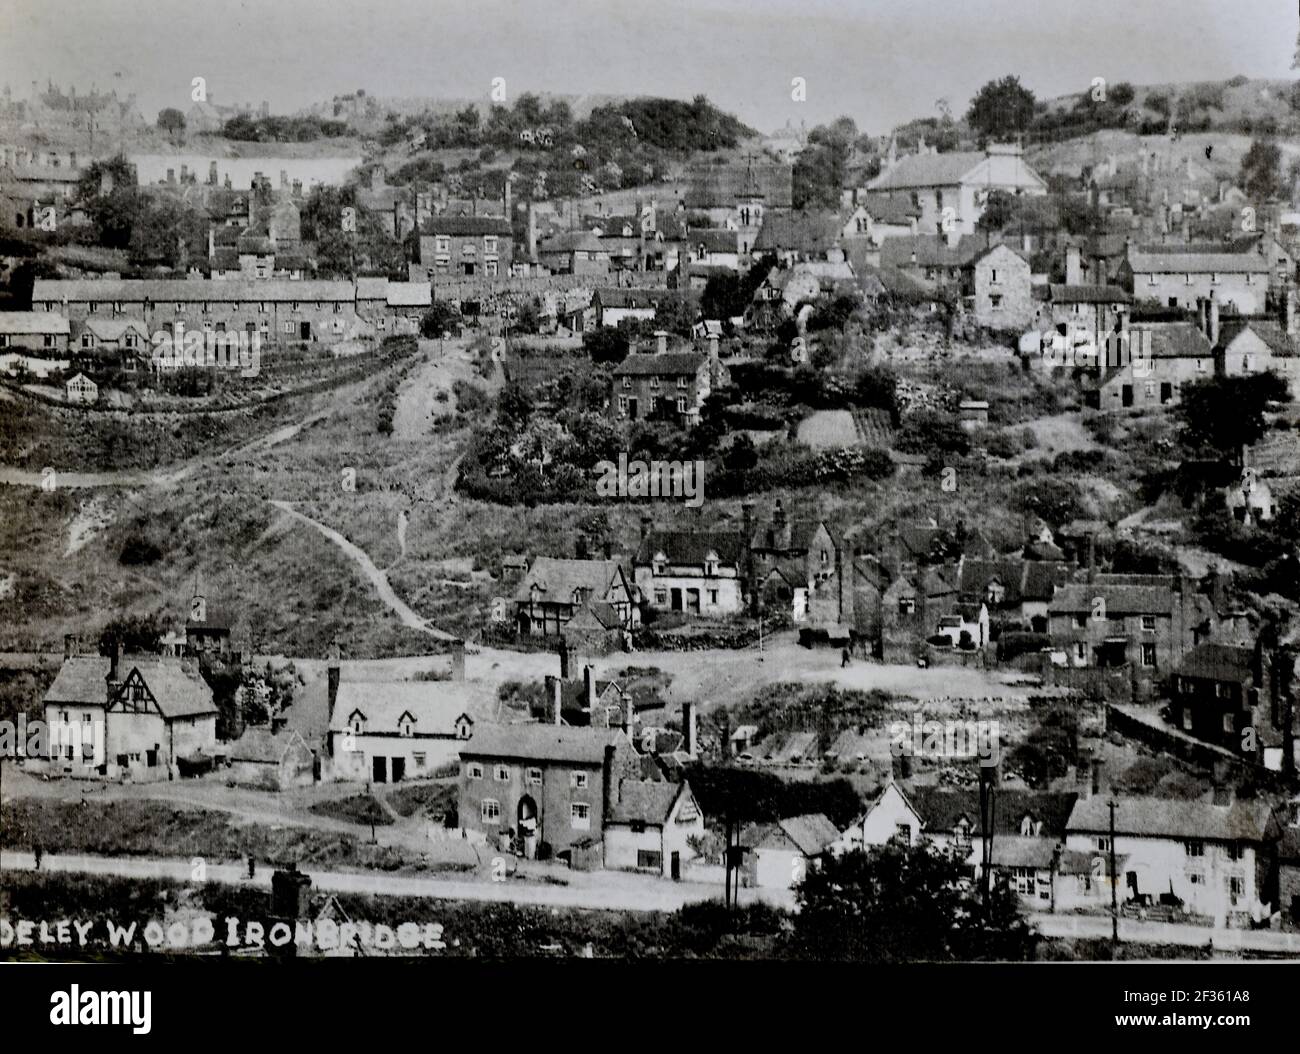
{"x":905,"y":904}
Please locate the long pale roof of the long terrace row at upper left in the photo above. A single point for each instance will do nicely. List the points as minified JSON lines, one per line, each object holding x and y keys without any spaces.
{"x":137,"y":290}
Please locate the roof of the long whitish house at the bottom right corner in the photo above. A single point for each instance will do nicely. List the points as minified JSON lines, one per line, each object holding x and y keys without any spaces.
{"x":1159,"y":818}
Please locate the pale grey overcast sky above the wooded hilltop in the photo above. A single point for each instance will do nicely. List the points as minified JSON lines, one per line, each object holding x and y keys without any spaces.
{"x":881,"y":62}
